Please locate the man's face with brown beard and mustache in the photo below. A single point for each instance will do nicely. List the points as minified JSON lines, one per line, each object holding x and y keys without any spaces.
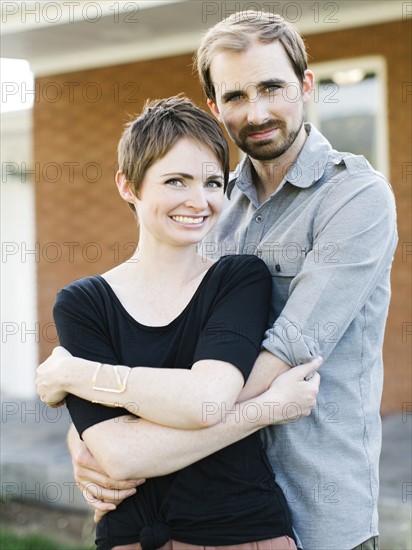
{"x":259,"y":99}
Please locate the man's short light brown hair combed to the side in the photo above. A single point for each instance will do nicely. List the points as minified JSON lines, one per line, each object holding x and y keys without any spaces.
{"x":238,"y":32}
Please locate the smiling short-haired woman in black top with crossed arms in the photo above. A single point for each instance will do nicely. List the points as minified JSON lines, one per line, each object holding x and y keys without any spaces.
{"x":171,"y":337}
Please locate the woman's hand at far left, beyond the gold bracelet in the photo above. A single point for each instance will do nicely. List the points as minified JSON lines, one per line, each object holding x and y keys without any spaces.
{"x":50,"y":378}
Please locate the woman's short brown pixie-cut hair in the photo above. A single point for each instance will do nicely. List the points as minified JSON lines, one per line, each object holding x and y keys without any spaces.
{"x":160,"y":125}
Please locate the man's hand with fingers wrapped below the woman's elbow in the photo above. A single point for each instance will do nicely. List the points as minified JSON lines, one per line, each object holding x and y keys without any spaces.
{"x":100,"y":492}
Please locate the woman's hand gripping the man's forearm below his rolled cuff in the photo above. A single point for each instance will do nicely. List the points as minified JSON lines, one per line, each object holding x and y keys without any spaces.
{"x":291,"y":395}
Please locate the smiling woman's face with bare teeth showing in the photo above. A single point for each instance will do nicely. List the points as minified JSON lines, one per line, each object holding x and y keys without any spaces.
{"x":181,"y":195}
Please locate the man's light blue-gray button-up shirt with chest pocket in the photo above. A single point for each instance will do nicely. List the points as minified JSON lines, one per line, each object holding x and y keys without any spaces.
{"x":328,"y":235}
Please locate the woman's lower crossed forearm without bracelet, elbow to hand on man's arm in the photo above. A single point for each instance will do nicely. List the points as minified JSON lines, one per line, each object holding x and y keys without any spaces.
{"x":130,"y":447}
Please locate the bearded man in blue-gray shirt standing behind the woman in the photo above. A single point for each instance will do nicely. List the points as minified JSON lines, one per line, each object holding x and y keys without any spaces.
{"x":324,"y":222}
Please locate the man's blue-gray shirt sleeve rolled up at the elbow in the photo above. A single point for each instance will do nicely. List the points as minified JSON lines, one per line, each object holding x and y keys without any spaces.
{"x":354,"y":238}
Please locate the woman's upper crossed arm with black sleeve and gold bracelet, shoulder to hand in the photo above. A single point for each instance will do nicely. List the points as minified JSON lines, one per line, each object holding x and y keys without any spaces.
{"x":226,"y":349}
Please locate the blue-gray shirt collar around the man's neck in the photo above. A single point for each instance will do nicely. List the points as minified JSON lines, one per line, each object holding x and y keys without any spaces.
{"x":308,"y":168}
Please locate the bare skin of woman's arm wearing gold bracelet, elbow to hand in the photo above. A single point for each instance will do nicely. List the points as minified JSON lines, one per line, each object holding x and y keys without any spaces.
{"x":173,"y":397}
